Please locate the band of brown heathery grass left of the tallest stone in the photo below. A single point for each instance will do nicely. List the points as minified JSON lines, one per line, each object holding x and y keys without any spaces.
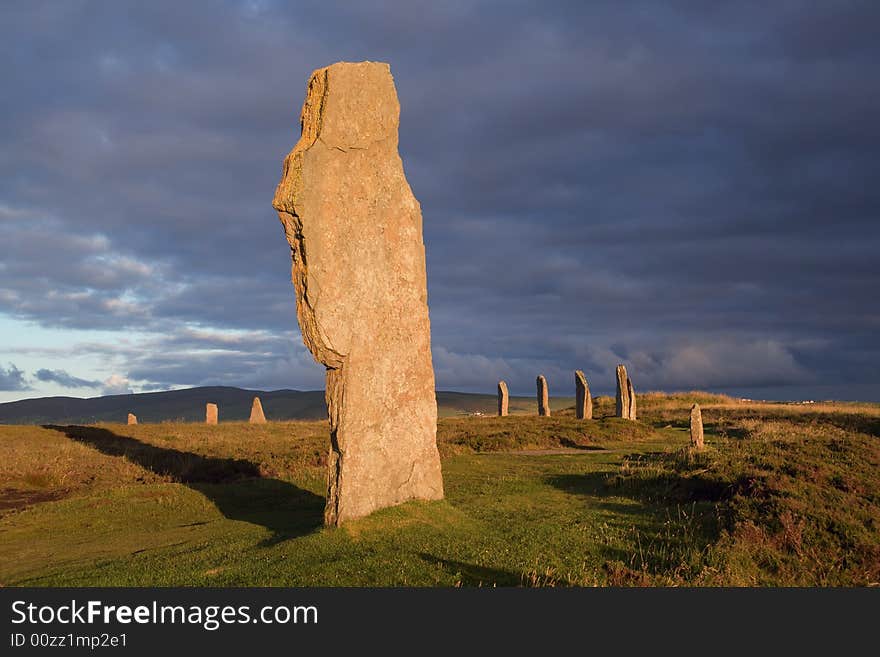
{"x":40,"y":463}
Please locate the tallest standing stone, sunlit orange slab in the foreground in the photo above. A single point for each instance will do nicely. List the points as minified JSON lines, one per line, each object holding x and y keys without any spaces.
{"x":355,"y":235}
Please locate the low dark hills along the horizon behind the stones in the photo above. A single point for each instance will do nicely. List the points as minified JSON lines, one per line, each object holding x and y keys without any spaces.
{"x":234,"y":404}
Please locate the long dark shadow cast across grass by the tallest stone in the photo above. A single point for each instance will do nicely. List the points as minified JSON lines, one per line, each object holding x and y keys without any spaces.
{"x":235,"y":486}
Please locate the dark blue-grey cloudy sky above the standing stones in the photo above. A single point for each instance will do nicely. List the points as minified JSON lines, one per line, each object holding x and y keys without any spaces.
{"x":688,"y":188}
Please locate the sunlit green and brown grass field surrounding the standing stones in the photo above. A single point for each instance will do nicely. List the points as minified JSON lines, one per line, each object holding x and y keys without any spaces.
{"x":782,"y":495}
